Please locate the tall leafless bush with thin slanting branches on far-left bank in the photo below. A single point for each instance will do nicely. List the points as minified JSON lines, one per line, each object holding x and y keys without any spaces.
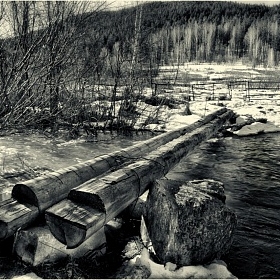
{"x":38,"y":62}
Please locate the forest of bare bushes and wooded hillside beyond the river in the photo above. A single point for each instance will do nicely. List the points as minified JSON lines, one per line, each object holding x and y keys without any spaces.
{"x":82,"y":65}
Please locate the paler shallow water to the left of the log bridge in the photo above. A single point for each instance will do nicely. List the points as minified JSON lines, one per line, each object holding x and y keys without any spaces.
{"x":25,"y":156}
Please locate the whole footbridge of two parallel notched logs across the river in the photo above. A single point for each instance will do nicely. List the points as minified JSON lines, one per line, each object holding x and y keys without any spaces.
{"x":78,"y":201}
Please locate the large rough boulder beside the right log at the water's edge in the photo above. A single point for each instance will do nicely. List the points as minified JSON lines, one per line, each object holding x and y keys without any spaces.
{"x":188,"y":223}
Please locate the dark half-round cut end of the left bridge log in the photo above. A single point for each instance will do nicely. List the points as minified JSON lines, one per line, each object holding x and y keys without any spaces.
{"x":23,"y":194}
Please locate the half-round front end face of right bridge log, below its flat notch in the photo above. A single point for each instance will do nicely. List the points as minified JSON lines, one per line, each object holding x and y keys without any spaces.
{"x":71,"y":236}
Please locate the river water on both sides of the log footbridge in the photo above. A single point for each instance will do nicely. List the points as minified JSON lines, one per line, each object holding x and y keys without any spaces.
{"x":248,"y":167}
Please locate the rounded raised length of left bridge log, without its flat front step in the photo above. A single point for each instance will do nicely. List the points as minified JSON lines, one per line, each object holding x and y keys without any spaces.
{"x":46,"y":190}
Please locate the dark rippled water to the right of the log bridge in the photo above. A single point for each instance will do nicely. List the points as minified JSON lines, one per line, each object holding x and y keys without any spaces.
{"x":249,"y":167}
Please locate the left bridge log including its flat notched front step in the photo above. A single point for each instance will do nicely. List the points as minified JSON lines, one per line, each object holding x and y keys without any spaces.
{"x":45,"y":191}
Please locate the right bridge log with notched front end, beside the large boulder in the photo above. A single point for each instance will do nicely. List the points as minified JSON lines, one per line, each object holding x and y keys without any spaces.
{"x":99,"y":200}
